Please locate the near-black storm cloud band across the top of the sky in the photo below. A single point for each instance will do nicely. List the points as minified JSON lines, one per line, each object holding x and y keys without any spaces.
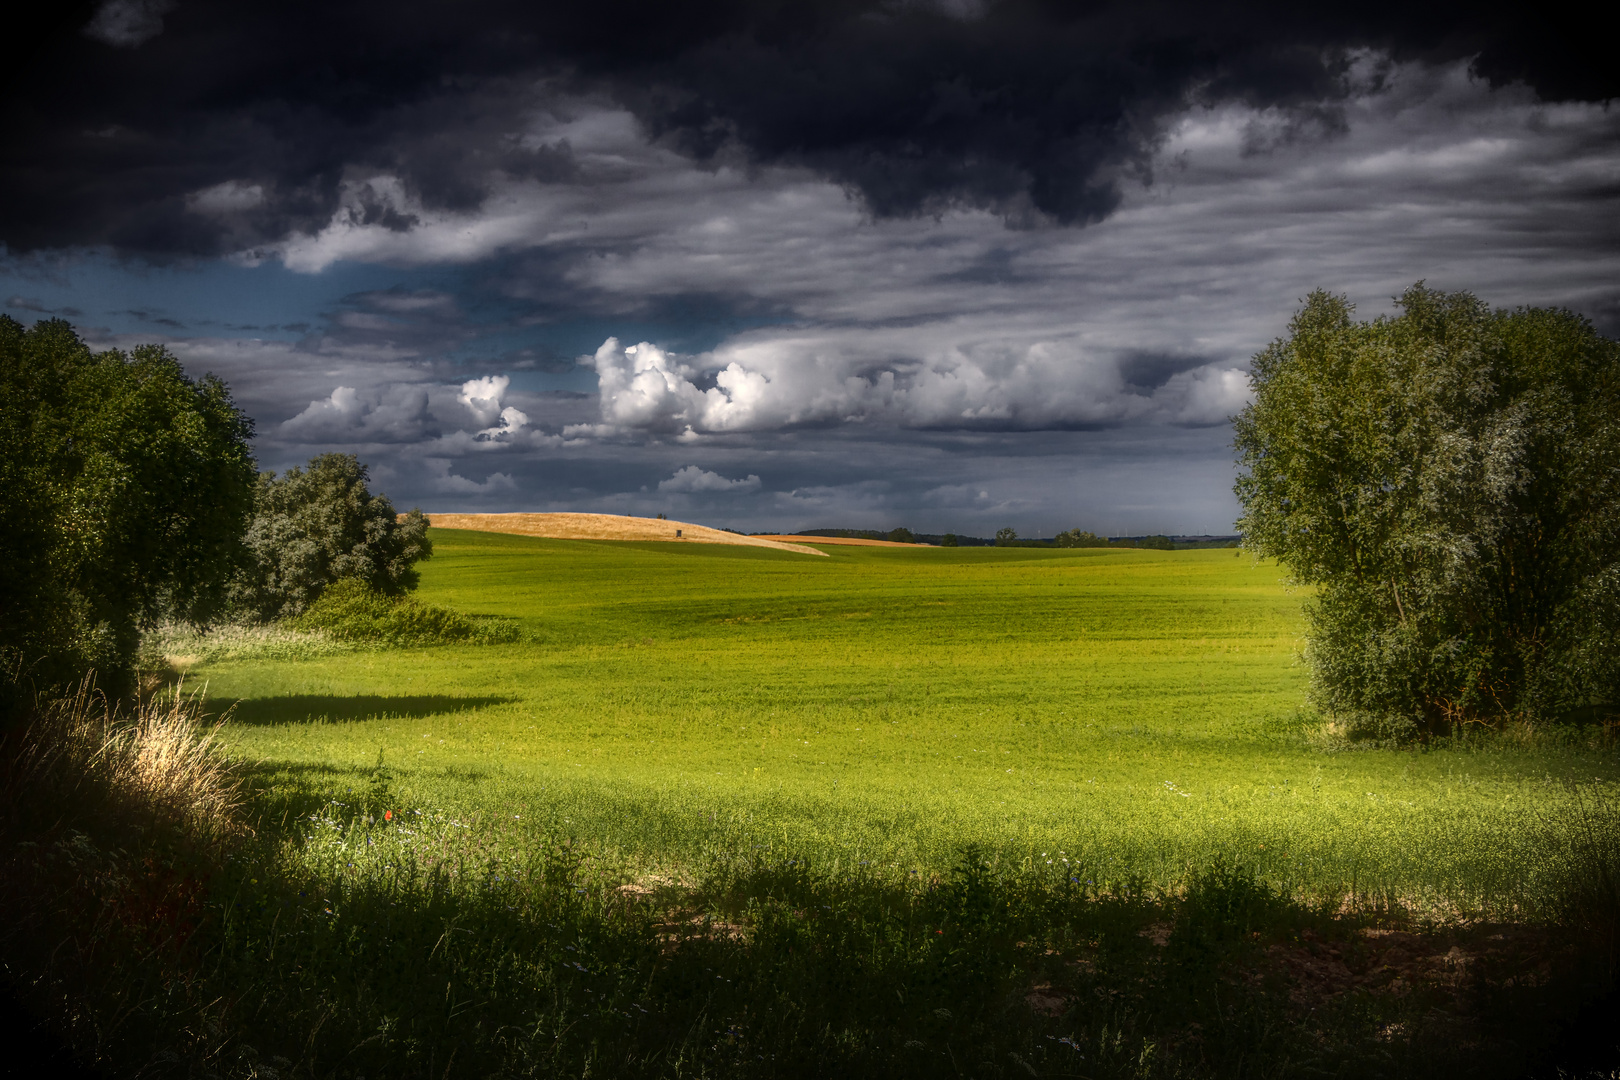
{"x":216,"y":127}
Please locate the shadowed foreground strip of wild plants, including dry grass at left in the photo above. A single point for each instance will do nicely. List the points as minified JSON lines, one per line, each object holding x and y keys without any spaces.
{"x":155,"y":914}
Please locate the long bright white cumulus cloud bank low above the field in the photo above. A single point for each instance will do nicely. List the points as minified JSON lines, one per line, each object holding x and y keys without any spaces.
{"x":772,"y":381}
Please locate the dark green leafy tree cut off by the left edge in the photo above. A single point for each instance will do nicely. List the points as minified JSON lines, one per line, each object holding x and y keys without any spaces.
{"x":127,"y":490}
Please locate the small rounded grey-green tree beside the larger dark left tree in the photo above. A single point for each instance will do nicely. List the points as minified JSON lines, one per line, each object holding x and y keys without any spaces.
{"x":318,"y":525}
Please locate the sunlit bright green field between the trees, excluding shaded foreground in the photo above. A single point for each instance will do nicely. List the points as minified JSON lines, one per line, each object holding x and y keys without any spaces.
{"x":892,"y":707}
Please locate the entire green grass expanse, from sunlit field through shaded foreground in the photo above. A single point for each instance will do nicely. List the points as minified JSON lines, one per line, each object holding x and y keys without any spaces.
{"x":727,"y":812}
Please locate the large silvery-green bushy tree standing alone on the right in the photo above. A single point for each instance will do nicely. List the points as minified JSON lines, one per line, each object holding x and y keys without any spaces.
{"x":1449,"y":480}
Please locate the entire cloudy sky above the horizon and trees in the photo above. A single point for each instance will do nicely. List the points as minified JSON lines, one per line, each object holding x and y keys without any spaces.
{"x":950,"y":265}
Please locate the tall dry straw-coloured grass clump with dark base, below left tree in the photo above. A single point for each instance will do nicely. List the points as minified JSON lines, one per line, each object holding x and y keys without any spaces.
{"x":113,"y":825}
